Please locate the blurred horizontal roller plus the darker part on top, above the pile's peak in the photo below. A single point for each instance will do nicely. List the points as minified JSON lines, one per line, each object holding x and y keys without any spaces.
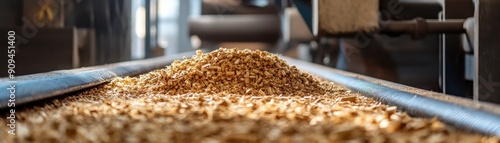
{"x":237,"y":21}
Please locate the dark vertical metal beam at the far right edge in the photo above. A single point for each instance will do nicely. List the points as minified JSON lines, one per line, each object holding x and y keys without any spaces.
{"x":487,"y":51}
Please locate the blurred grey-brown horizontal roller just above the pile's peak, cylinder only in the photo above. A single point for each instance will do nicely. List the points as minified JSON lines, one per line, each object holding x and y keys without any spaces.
{"x":236,"y":28}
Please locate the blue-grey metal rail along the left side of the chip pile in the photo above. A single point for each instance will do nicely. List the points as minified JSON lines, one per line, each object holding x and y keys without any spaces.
{"x":40,"y":86}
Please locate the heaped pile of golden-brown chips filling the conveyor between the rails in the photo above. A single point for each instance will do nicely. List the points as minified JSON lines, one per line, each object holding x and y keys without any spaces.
{"x":227,"y":95}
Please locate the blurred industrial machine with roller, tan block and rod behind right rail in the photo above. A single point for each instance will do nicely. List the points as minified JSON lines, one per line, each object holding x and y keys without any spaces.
{"x":438,"y":45}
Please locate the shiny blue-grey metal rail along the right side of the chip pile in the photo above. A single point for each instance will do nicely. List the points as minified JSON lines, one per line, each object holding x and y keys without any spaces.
{"x":461,"y":113}
